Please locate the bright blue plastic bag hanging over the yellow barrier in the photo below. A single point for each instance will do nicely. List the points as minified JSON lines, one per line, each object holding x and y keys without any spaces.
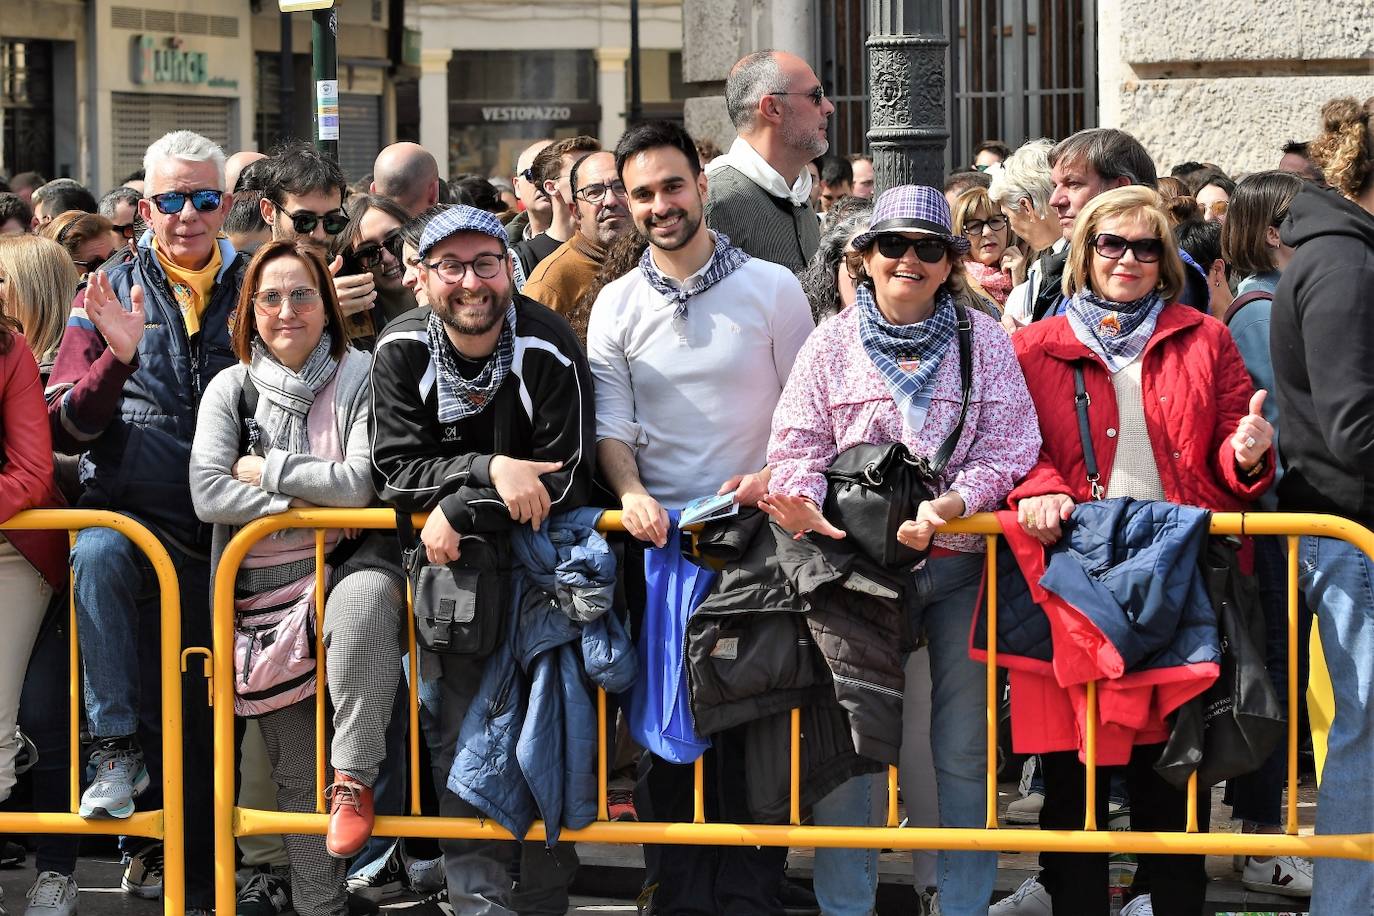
{"x":659,"y":707}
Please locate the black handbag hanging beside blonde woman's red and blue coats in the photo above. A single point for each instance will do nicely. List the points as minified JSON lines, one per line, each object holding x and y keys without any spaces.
{"x":1239,"y":722}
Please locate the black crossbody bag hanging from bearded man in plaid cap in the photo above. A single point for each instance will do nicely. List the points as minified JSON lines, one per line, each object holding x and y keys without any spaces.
{"x":460,"y":608}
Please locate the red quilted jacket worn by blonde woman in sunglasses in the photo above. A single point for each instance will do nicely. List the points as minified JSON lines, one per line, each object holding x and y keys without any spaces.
{"x":1195,"y":388}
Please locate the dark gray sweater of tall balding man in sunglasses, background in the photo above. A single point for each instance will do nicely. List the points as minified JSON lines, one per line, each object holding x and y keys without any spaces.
{"x":759,"y":223}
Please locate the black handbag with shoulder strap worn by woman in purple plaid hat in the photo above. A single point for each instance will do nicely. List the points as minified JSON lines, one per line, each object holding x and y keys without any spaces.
{"x":873,"y":490}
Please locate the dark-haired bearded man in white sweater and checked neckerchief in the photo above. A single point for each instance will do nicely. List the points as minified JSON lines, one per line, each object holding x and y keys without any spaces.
{"x":690,"y":352}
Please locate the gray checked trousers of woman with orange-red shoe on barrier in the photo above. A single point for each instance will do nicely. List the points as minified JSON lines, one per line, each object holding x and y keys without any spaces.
{"x":362,"y":638}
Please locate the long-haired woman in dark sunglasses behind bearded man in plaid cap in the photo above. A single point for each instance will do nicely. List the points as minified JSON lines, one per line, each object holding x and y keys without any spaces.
{"x":373,"y":244}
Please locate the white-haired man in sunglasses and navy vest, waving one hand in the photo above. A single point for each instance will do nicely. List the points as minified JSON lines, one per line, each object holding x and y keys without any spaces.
{"x":144,"y":341}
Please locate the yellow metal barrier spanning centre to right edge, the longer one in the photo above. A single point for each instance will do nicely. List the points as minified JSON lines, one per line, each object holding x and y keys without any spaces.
{"x":233,"y":822}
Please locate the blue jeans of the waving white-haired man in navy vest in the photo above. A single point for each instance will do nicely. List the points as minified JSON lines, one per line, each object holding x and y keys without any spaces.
{"x":120,"y":627}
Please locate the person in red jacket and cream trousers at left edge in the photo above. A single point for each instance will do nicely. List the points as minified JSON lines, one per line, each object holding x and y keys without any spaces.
{"x":32,"y":564}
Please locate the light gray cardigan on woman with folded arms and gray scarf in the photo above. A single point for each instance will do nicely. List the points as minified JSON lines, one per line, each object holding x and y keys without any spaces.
{"x":229,"y":503}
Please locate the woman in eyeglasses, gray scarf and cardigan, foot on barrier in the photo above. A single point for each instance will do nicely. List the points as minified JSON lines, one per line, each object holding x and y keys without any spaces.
{"x":288,"y":428}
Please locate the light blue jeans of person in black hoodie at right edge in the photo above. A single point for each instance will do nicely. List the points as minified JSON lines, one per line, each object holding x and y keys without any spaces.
{"x":1339,"y":583}
